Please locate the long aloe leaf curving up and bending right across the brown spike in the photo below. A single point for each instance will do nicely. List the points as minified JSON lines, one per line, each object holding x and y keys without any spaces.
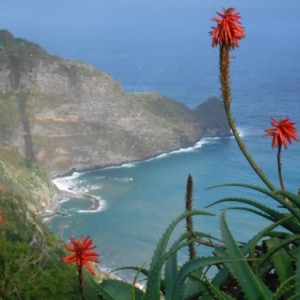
{"x":154,"y":276}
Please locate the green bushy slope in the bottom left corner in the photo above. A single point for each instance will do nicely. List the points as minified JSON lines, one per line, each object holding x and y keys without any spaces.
{"x":30,"y":257}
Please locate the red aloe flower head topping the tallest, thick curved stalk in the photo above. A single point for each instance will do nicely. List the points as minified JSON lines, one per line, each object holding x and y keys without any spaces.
{"x":228,"y":30}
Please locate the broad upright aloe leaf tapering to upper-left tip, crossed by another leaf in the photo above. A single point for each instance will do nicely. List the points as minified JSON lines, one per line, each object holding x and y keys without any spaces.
{"x":251,"y":285}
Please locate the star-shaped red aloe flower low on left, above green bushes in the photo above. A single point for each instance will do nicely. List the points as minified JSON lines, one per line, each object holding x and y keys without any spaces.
{"x":82,"y":253}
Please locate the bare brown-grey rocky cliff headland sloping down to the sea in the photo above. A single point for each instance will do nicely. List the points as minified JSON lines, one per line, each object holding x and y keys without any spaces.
{"x":67,"y":115}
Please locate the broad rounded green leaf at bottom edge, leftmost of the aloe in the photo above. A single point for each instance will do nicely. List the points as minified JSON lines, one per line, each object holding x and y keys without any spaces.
{"x":119,"y":290}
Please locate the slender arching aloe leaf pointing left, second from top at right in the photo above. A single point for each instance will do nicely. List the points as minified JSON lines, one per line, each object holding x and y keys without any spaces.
{"x":289,"y":225}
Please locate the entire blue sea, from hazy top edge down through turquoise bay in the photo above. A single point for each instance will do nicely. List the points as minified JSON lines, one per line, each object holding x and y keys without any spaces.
{"x":164,"y":46}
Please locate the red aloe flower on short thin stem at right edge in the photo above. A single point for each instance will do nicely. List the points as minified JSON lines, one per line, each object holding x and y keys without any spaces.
{"x":282,"y":133}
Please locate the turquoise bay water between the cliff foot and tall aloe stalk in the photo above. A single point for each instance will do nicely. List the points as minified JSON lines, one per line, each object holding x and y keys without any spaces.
{"x":138,"y":201}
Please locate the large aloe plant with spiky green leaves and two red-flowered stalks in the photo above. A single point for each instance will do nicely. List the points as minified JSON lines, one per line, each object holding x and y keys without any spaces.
{"x":265,"y":267}
